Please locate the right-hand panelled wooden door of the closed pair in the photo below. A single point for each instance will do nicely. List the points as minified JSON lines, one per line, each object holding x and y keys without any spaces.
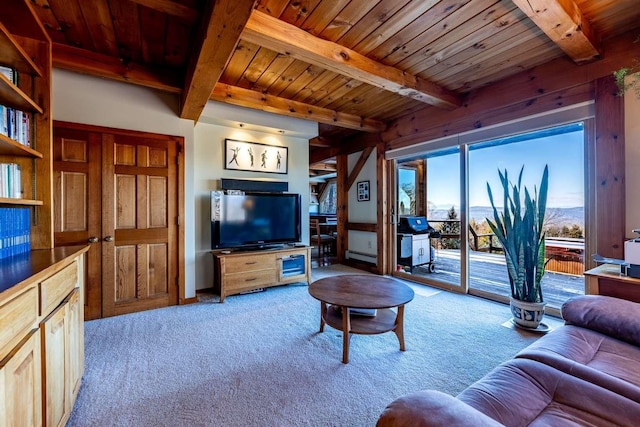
{"x":139,"y":223}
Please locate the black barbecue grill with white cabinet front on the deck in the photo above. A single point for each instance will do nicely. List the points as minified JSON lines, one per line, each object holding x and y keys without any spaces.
{"x":414,"y":242}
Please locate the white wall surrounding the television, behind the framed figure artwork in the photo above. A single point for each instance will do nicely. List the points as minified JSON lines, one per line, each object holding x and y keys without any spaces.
{"x":209,"y":169}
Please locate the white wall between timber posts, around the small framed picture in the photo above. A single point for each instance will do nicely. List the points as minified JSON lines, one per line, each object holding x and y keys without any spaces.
{"x":365,"y":211}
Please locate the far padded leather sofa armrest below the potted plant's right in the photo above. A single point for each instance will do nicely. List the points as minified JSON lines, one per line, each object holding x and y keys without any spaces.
{"x":614,"y":317}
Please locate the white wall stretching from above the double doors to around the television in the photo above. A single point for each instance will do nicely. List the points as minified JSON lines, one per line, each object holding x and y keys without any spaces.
{"x":89,"y":100}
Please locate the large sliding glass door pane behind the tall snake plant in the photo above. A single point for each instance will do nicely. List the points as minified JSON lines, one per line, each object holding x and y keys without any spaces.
{"x":562,"y":149}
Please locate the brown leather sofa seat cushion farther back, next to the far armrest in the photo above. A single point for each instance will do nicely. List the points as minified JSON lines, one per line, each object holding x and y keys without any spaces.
{"x":592,"y":356}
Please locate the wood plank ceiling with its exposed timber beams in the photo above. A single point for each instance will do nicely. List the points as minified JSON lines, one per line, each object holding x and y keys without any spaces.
{"x":351,"y":65}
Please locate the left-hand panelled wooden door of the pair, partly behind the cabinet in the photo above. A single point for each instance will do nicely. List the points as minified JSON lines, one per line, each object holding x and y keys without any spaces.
{"x":77,"y":204}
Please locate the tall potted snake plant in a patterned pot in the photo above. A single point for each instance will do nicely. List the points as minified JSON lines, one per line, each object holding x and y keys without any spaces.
{"x":519,"y":228}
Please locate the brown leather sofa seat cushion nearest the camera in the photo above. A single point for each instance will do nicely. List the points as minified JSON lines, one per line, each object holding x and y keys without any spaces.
{"x":524,"y":392}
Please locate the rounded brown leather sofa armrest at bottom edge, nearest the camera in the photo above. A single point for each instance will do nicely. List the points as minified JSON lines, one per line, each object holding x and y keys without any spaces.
{"x":432,"y":408}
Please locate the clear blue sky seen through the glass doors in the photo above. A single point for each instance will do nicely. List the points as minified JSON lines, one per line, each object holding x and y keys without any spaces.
{"x":564,"y":153}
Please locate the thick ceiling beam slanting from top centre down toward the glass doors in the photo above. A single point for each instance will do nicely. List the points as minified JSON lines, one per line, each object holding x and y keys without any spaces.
{"x":277,"y":35}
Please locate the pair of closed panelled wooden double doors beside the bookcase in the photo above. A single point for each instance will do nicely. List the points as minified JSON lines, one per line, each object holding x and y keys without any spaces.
{"x":119,"y":191}
